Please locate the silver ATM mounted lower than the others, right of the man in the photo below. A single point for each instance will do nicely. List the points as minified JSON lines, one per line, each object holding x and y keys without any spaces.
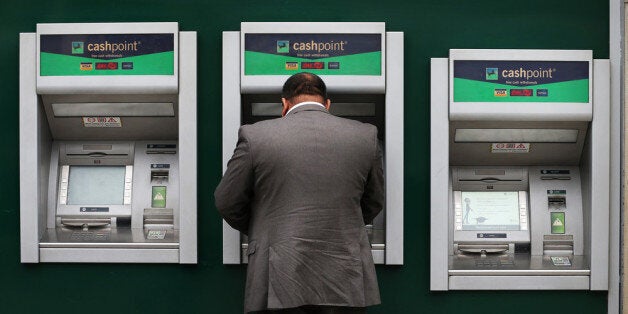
{"x":520,"y":169}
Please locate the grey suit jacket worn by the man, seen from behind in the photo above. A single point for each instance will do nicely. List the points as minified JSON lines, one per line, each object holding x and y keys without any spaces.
{"x":302,"y":187}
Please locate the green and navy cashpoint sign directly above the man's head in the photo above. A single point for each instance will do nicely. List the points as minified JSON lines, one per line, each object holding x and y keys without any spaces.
{"x":324,"y":54}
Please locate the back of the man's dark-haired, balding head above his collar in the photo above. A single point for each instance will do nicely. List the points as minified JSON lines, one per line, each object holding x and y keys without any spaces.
{"x":303,"y":87}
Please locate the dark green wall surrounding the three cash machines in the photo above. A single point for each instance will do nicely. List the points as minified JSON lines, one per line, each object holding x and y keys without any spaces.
{"x":431,"y":28}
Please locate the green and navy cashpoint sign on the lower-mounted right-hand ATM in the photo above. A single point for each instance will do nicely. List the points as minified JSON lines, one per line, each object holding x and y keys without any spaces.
{"x":521,"y":81}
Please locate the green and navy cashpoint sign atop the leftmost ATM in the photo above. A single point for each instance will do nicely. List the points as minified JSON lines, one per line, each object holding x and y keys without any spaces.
{"x":106,"y":54}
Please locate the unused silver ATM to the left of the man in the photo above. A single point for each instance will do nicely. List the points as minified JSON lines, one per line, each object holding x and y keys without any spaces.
{"x":108,"y":143}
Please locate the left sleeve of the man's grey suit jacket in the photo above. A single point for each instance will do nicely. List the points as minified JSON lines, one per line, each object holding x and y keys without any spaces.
{"x":235,"y":191}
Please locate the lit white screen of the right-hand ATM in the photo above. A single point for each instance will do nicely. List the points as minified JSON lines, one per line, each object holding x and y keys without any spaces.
{"x":490,"y":211}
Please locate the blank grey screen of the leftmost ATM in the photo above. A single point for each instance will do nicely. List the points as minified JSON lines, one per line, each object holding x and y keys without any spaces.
{"x":96,"y":185}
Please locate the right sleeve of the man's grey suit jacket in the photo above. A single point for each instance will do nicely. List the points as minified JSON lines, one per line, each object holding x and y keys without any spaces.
{"x":373,"y":198}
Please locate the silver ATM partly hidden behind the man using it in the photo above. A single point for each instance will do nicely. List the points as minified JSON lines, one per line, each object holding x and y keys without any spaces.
{"x":361,"y":64}
